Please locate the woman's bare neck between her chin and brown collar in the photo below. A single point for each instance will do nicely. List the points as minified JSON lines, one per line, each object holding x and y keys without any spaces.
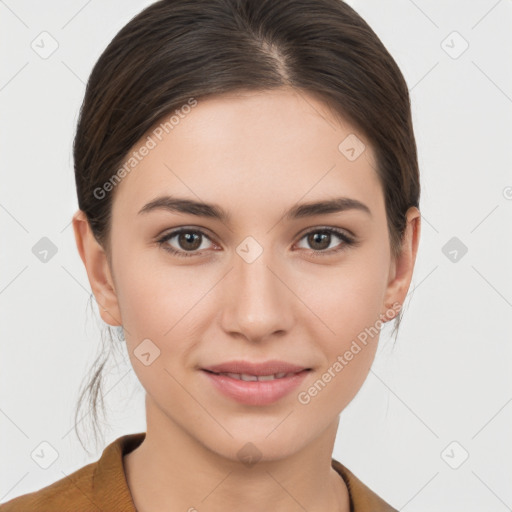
{"x":171,"y":470}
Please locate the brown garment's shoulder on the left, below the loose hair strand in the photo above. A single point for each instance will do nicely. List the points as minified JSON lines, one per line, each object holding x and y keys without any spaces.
{"x":96,"y":487}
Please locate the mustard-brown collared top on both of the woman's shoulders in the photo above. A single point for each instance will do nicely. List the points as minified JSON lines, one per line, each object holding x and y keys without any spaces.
{"x":101,"y":487}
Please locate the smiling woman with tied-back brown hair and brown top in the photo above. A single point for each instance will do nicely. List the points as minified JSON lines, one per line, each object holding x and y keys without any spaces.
{"x":248,"y":193}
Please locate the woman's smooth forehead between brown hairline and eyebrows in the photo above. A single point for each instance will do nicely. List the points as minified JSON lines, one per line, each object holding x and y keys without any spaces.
{"x":252,"y":148}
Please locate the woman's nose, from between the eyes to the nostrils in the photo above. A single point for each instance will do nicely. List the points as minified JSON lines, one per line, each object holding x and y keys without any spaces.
{"x":258,"y":302}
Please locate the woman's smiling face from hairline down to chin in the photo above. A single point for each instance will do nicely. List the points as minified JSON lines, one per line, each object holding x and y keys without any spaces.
{"x":265,"y":282}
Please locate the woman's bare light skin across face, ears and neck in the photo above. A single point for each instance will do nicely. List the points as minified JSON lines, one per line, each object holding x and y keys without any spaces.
{"x":256,"y":155}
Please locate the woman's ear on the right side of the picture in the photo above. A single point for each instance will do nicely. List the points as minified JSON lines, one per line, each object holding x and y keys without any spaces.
{"x":401,"y":268}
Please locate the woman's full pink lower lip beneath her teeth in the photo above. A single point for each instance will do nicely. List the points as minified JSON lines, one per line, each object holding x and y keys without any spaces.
{"x":256,"y":392}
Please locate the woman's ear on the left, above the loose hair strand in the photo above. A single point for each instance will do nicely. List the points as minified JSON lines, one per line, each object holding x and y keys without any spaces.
{"x":98,"y":270}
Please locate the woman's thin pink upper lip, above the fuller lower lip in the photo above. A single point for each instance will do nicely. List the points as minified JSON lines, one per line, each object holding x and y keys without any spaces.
{"x":247,"y":370}
